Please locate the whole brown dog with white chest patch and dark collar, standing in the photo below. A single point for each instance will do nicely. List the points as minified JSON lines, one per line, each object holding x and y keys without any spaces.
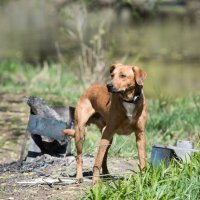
{"x":119,"y":107}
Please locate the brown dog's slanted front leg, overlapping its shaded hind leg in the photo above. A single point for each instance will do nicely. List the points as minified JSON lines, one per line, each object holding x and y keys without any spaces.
{"x":104,"y":144}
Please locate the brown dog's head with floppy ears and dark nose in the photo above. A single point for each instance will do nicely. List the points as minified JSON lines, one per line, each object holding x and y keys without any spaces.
{"x":125,"y":77}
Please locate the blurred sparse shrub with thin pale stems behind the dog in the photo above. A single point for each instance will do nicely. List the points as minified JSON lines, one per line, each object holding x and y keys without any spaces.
{"x":92,"y":57}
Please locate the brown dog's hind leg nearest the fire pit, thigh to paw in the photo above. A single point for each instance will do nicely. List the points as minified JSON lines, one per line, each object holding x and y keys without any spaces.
{"x":84,"y":112}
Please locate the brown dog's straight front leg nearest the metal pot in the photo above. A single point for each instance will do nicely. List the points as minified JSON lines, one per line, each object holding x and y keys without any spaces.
{"x":141,"y":146}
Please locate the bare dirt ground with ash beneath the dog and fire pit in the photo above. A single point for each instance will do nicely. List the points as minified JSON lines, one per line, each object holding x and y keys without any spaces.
{"x":34,"y":180}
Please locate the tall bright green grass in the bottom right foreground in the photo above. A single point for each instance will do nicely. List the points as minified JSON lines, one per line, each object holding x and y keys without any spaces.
{"x":179,"y":181}
